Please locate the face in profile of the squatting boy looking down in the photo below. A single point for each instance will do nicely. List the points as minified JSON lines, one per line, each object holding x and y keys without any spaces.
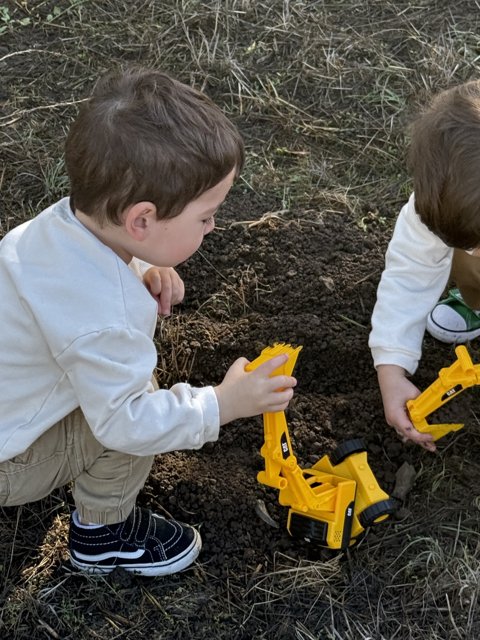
{"x":172,"y":241}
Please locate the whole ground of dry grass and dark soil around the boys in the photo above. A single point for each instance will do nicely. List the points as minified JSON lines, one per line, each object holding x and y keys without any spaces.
{"x":322,"y":92}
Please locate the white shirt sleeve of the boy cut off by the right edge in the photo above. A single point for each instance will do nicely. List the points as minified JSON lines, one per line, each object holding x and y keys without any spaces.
{"x":417,"y":269}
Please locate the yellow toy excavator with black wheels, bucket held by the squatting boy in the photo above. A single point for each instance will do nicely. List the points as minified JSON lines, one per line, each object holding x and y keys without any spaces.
{"x":334,"y":501}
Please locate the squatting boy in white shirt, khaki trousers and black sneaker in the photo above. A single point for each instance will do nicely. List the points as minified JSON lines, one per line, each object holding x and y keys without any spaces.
{"x":150,"y":161}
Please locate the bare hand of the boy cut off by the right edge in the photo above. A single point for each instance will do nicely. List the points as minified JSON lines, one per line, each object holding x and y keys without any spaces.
{"x":396,"y":389}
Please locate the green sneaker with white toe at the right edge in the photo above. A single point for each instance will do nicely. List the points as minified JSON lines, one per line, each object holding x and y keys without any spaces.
{"x":453,"y":321}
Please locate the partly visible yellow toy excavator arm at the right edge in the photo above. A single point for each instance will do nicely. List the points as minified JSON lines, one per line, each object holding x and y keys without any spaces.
{"x":451,"y":381}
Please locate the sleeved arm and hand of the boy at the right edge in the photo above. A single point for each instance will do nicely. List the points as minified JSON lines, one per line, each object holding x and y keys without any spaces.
{"x":417,"y":268}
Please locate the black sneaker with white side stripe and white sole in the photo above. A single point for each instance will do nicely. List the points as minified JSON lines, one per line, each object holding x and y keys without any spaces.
{"x":145,"y":543}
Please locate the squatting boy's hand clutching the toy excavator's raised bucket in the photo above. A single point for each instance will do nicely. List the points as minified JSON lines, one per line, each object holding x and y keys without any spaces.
{"x":242,"y":394}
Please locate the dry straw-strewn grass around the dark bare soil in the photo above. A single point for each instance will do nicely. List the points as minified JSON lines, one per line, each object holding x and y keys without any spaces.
{"x":321,"y":92}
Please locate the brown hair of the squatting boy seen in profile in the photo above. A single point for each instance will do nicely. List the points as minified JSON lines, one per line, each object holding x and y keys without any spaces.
{"x":143,"y":135}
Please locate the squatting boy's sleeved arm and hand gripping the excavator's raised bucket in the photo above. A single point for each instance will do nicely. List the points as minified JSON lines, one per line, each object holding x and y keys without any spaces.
{"x":110,"y":371}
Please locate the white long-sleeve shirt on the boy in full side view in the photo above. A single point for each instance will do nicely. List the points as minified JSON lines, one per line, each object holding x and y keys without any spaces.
{"x":76,"y":330}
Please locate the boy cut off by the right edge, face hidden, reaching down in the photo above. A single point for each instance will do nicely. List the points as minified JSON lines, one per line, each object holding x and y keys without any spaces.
{"x":437,"y":236}
